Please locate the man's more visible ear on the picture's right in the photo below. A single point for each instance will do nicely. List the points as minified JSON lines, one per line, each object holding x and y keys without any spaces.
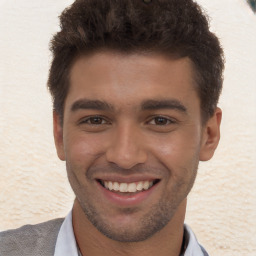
{"x":210,"y":136}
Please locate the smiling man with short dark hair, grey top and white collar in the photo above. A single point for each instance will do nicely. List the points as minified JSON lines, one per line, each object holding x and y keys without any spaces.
{"x":135,"y":86}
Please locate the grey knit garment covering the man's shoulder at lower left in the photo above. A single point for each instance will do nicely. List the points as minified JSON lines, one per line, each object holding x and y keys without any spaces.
{"x":30,"y":239}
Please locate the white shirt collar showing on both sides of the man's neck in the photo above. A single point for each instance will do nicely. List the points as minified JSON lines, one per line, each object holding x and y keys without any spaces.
{"x":66,"y":242}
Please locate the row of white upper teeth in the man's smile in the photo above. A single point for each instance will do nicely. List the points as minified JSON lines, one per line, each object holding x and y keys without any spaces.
{"x":128,"y":187}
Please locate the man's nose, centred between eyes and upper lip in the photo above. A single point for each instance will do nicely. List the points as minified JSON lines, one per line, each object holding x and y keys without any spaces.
{"x":126,"y":148}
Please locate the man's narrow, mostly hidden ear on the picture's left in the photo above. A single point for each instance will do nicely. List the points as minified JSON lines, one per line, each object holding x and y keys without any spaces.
{"x":58,"y":135}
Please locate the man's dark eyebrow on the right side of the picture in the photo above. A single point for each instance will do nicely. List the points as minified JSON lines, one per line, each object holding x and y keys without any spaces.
{"x":163,"y":104}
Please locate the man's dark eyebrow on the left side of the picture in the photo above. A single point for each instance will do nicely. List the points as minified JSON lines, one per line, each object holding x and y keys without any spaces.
{"x":91,"y":104}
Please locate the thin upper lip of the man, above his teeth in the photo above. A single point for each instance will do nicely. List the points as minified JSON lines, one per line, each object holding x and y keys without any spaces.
{"x":126,"y":179}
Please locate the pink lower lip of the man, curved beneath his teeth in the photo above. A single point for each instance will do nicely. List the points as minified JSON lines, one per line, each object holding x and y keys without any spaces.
{"x":127,"y":200}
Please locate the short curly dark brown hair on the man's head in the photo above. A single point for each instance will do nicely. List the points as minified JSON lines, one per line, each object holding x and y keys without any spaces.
{"x":171,"y":27}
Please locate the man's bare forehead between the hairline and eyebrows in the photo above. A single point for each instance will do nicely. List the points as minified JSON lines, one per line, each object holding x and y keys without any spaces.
{"x":130,"y":78}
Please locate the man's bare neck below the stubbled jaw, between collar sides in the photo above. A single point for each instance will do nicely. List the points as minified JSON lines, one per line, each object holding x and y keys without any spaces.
{"x":166,"y":242}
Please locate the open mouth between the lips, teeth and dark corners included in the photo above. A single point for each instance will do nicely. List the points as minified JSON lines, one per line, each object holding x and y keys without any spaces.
{"x":125,"y":188}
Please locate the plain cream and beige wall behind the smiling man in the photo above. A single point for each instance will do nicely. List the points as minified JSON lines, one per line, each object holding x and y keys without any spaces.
{"x":33,"y":184}
